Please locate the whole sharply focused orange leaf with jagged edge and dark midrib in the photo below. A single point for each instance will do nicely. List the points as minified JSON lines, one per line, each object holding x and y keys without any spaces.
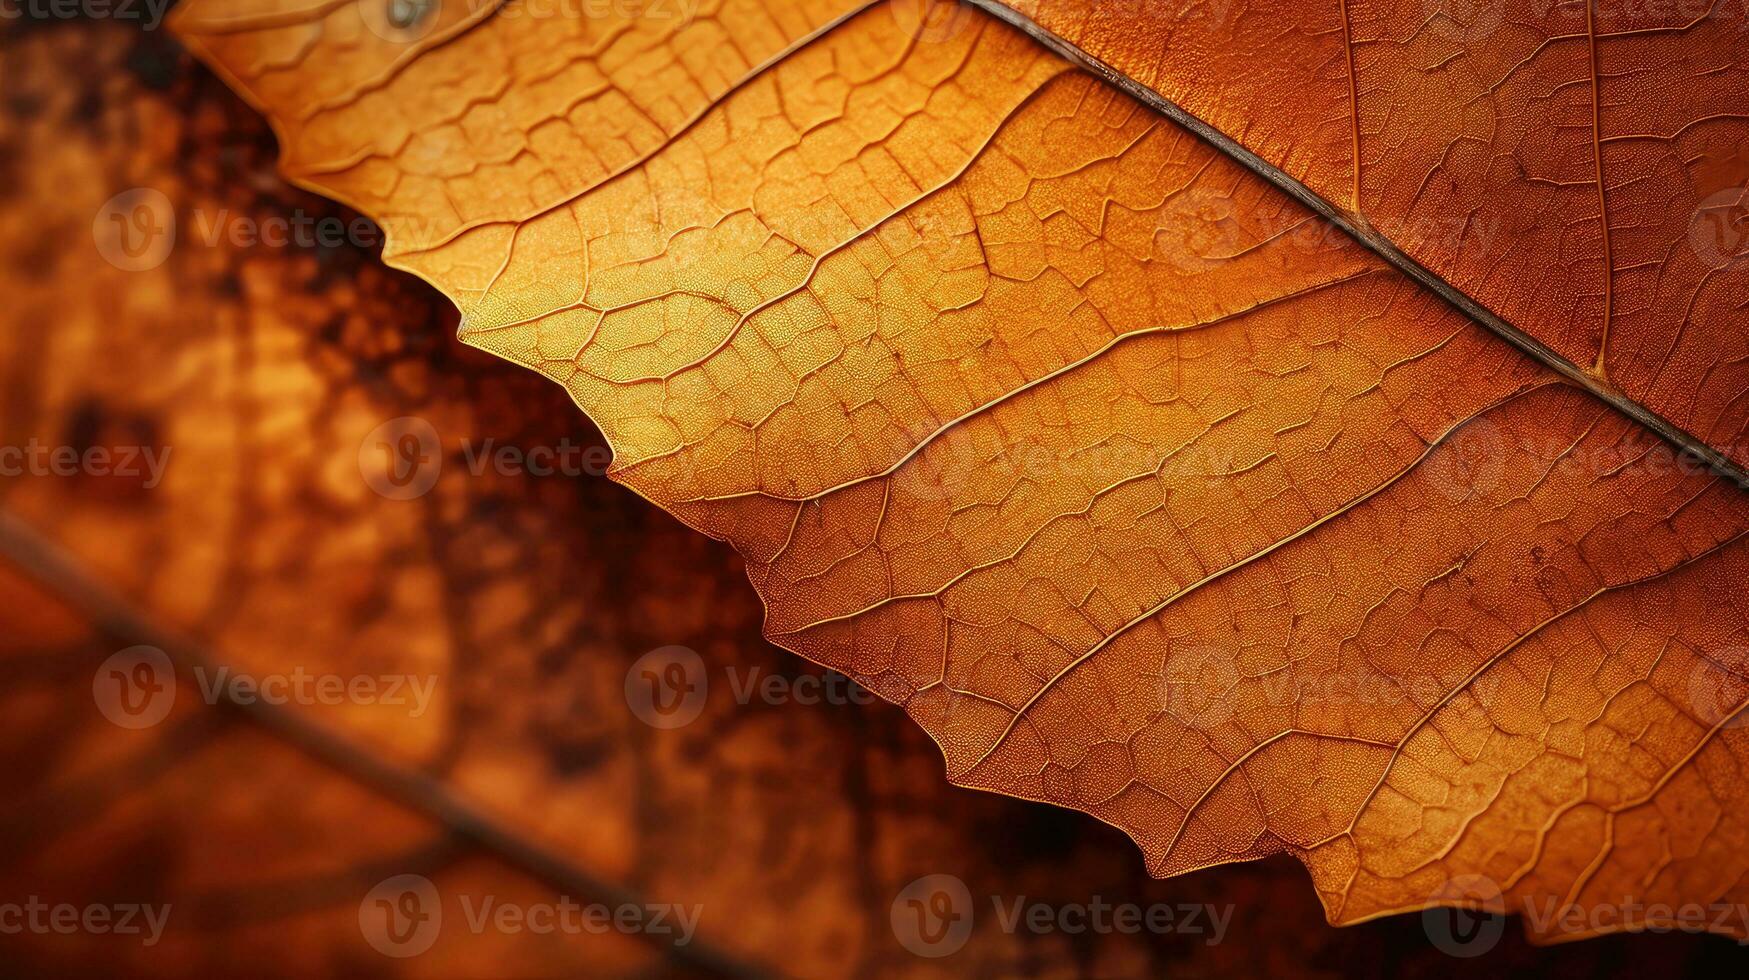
{"x":1063,"y":407}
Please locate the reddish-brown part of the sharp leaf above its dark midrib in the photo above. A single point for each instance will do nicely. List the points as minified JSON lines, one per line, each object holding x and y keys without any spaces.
{"x":1577,"y":167}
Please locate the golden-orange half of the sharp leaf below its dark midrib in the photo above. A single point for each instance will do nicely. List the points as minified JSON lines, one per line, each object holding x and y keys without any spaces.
{"x":1139,"y":487}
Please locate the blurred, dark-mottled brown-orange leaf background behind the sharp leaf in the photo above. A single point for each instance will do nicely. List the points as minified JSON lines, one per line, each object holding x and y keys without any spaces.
{"x":326,"y":648}
